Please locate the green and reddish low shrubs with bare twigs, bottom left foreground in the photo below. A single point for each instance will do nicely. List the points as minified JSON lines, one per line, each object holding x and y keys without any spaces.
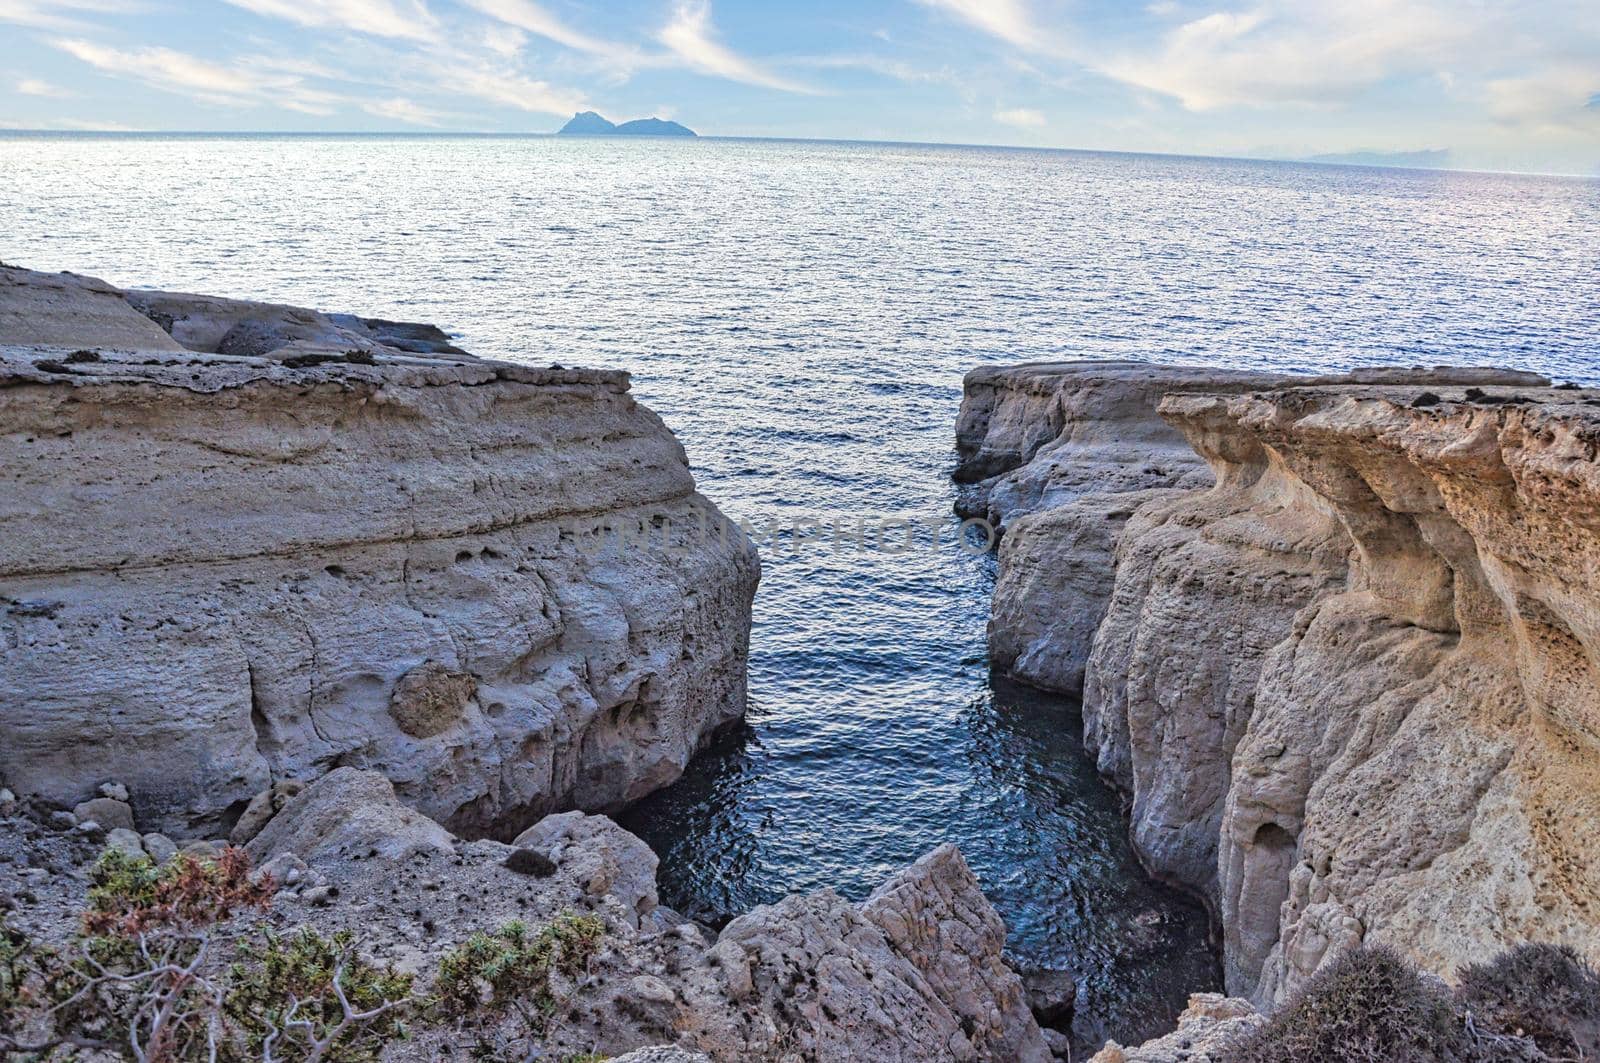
{"x":148,"y":977}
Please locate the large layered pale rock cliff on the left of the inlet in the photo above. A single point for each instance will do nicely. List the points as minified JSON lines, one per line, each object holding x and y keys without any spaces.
{"x":345,"y":544}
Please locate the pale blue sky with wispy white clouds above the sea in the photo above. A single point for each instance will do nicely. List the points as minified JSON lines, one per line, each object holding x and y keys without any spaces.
{"x":1495,"y":86}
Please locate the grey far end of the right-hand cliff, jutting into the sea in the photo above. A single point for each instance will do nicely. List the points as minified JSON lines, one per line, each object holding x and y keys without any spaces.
{"x":1060,"y":455}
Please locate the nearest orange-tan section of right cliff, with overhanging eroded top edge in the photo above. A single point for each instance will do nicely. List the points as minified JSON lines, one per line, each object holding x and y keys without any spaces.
{"x":1422,"y":768}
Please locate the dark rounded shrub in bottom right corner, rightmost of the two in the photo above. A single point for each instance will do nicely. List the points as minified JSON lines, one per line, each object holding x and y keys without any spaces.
{"x":1546,"y":993}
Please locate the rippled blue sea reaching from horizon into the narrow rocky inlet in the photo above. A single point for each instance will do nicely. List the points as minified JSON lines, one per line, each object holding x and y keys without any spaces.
{"x":802,"y":315}
